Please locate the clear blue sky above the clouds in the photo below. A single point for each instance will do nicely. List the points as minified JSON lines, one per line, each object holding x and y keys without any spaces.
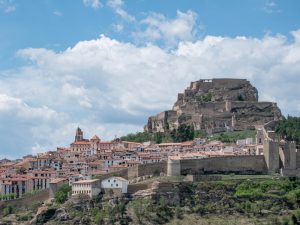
{"x":60,"y":24}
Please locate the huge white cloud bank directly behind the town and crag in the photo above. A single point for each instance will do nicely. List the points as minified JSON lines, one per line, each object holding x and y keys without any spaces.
{"x":109,"y":87}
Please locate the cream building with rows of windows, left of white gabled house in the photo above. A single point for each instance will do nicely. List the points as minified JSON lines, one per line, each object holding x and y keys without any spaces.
{"x":89,"y":187}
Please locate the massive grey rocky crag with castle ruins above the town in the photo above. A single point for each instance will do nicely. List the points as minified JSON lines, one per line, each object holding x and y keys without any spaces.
{"x":216,"y":105}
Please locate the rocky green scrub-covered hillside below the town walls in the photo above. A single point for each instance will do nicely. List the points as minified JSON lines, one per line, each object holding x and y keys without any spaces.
{"x":236,"y":199}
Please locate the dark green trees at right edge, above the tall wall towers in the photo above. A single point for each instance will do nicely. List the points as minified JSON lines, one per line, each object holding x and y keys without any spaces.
{"x":289,"y":128}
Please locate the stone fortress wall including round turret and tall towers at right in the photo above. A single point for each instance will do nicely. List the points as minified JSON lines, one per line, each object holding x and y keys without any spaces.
{"x":278,"y":157}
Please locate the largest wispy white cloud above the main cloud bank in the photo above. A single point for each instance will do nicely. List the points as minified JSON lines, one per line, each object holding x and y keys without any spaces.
{"x":172,"y":31}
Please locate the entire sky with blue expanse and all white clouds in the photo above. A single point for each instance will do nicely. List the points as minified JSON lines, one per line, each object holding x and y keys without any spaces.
{"x":107,"y":65}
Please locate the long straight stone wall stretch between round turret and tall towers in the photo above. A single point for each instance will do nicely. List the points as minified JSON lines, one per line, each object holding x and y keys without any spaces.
{"x":242,"y":164}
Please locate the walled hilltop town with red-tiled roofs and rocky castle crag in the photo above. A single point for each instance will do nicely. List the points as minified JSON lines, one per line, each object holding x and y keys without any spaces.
{"x":127,"y":170}
